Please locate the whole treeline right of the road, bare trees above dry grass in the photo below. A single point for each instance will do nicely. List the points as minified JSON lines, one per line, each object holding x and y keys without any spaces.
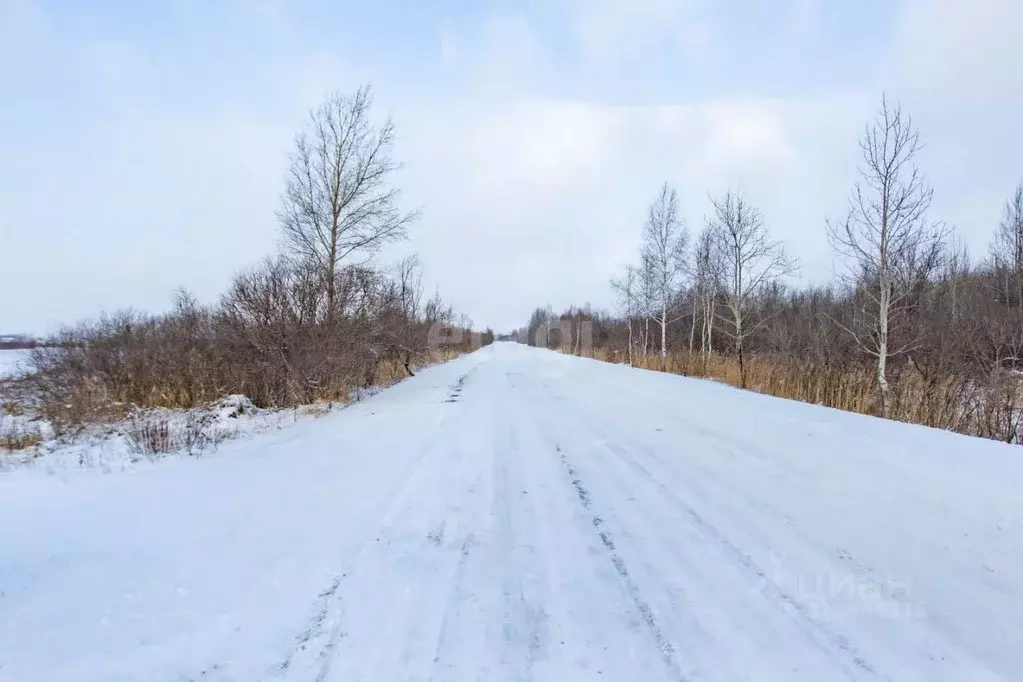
{"x":915,"y":330}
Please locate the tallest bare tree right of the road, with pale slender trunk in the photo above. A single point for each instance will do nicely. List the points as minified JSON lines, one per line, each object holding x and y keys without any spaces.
{"x":891,"y":247}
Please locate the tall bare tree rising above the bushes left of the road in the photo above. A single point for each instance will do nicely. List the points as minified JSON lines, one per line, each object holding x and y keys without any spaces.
{"x":338,"y":201}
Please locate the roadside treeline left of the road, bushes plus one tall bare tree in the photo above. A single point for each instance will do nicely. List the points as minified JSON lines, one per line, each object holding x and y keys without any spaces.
{"x":321,"y":320}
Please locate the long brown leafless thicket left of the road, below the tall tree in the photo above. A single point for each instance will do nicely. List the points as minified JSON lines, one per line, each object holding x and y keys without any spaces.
{"x":271,"y":339}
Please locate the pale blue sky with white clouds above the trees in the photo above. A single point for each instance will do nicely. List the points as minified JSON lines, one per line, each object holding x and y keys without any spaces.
{"x":145,"y":145}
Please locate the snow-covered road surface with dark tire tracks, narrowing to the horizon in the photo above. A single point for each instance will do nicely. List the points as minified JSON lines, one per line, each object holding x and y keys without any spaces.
{"x":519,"y":515}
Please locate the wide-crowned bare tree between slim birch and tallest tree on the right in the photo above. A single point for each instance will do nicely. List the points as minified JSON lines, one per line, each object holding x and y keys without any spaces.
{"x":750,"y":260}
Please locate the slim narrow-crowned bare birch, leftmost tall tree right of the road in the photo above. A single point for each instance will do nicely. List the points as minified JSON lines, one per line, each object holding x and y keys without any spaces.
{"x":665,"y":241}
